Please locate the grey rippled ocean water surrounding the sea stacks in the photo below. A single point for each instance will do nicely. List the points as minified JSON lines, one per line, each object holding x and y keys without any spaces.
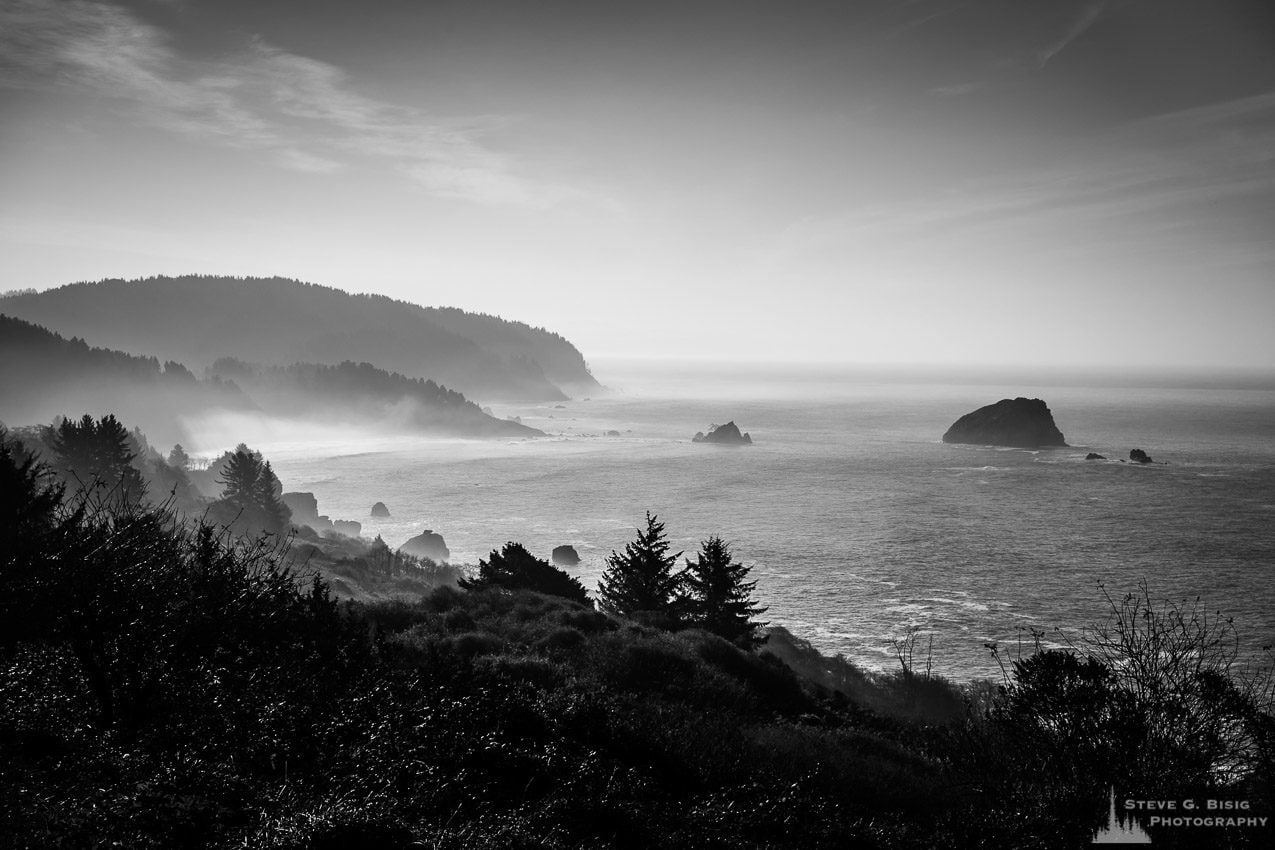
{"x":857,"y":521}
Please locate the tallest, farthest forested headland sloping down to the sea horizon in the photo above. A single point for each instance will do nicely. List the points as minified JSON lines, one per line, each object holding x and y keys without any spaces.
{"x":277,"y":322}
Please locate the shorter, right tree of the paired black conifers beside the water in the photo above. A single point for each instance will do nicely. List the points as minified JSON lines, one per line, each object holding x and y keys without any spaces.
{"x":718,"y":596}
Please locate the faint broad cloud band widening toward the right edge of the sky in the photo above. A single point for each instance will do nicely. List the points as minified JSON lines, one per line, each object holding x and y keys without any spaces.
{"x":1174,"y":171}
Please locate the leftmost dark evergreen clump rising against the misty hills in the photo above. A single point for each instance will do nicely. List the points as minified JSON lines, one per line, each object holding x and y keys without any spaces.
{"x":98,"y":454}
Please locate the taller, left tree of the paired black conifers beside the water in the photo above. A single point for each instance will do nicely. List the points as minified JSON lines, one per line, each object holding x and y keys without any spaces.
{"x":643,"y":578}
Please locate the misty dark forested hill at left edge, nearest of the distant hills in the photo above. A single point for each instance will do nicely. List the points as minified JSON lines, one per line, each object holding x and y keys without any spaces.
{"x":44,"y":375}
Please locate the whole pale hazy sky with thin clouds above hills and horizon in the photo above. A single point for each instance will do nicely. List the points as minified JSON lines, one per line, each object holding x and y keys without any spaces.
{"x":1054,"y":183}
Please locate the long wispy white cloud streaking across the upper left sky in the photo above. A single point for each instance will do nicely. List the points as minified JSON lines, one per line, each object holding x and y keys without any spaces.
{"x":303,"y":112}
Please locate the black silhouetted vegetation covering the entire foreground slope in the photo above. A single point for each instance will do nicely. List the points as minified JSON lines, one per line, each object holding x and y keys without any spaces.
{"x":169,"y":684}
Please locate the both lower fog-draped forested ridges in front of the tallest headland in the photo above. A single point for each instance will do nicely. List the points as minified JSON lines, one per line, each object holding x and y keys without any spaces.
{"x":44,"y":375}
